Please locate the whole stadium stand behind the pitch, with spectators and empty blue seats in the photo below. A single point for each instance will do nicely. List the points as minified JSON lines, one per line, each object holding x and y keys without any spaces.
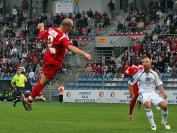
{"x":19,"y":46}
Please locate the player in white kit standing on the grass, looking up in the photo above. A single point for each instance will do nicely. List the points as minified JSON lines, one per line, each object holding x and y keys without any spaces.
{"x":148,"y":81}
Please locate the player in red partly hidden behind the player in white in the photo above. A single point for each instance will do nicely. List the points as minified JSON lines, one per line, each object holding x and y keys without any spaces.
{"x":131,"y":71}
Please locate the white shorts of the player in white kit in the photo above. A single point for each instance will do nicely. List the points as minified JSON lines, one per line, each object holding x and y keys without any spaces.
{"x":153,"y":97}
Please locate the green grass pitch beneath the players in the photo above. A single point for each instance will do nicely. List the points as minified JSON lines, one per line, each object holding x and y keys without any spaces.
{"x":52,"y":117}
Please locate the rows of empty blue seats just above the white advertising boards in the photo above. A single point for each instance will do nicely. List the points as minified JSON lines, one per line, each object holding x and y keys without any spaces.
{"x":89,"y":83}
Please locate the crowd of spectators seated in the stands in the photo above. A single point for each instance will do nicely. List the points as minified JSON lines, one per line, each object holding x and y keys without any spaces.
{"x":19,"y":45}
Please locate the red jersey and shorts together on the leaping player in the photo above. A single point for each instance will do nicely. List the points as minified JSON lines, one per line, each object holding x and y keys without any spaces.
{"x":57,"y":43}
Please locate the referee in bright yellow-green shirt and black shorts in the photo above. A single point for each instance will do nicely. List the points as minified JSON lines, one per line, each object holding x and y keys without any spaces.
{"x":18,"y":83}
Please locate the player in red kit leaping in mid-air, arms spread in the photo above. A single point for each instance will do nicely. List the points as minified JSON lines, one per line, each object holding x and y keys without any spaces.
{"x":58,"y":42}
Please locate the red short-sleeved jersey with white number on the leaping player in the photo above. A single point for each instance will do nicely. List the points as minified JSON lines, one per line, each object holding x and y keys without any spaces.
{"x":57,"y":42}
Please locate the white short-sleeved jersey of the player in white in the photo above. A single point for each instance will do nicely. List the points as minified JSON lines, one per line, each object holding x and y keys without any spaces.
{"x":147,"y":81}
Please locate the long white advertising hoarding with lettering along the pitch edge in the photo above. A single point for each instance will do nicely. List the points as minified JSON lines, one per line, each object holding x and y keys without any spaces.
{"x":107,"y":96}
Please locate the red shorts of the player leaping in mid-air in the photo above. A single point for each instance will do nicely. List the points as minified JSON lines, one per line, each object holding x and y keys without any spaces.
{"x":50,"y":67}
